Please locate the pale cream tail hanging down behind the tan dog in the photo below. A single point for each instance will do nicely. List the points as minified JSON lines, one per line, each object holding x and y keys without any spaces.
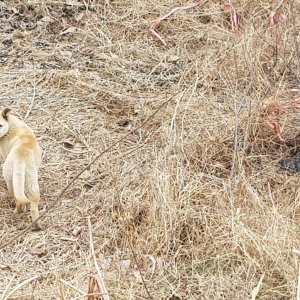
{"x":19,"y":169}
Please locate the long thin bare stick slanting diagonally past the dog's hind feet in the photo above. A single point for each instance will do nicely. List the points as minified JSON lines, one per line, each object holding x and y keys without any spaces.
{"x":9,"y":242}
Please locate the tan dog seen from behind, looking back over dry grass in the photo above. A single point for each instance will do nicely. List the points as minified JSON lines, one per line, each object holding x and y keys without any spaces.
{"x":22,"y":155}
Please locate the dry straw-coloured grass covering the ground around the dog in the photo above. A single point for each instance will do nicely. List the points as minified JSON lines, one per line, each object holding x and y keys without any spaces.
{"x":196,"y":192}
